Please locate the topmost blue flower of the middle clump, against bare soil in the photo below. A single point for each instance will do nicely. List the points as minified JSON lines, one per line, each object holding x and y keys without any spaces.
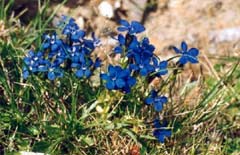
{"x":133,"y":28}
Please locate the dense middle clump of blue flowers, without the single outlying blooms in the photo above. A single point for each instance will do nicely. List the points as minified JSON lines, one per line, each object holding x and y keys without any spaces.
{"x":140,"y":57}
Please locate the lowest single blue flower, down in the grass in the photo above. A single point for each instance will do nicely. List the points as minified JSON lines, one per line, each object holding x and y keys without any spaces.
{"x":160,"y":131}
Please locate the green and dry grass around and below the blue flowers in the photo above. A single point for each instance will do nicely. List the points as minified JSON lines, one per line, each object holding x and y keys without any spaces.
{"x":62,"y":117}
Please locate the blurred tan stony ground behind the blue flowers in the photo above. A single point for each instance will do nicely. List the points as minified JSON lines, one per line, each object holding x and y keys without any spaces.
{"x":211,"y":25}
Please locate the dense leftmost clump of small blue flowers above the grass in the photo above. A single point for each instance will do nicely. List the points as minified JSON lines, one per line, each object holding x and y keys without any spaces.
{"x":58,"y":55}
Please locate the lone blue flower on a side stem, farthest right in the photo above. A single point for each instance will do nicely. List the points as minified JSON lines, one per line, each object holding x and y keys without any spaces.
{"x":187,"y":55}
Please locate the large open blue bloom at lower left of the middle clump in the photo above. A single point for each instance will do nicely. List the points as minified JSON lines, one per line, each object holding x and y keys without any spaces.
{"x":118,"y":79}
